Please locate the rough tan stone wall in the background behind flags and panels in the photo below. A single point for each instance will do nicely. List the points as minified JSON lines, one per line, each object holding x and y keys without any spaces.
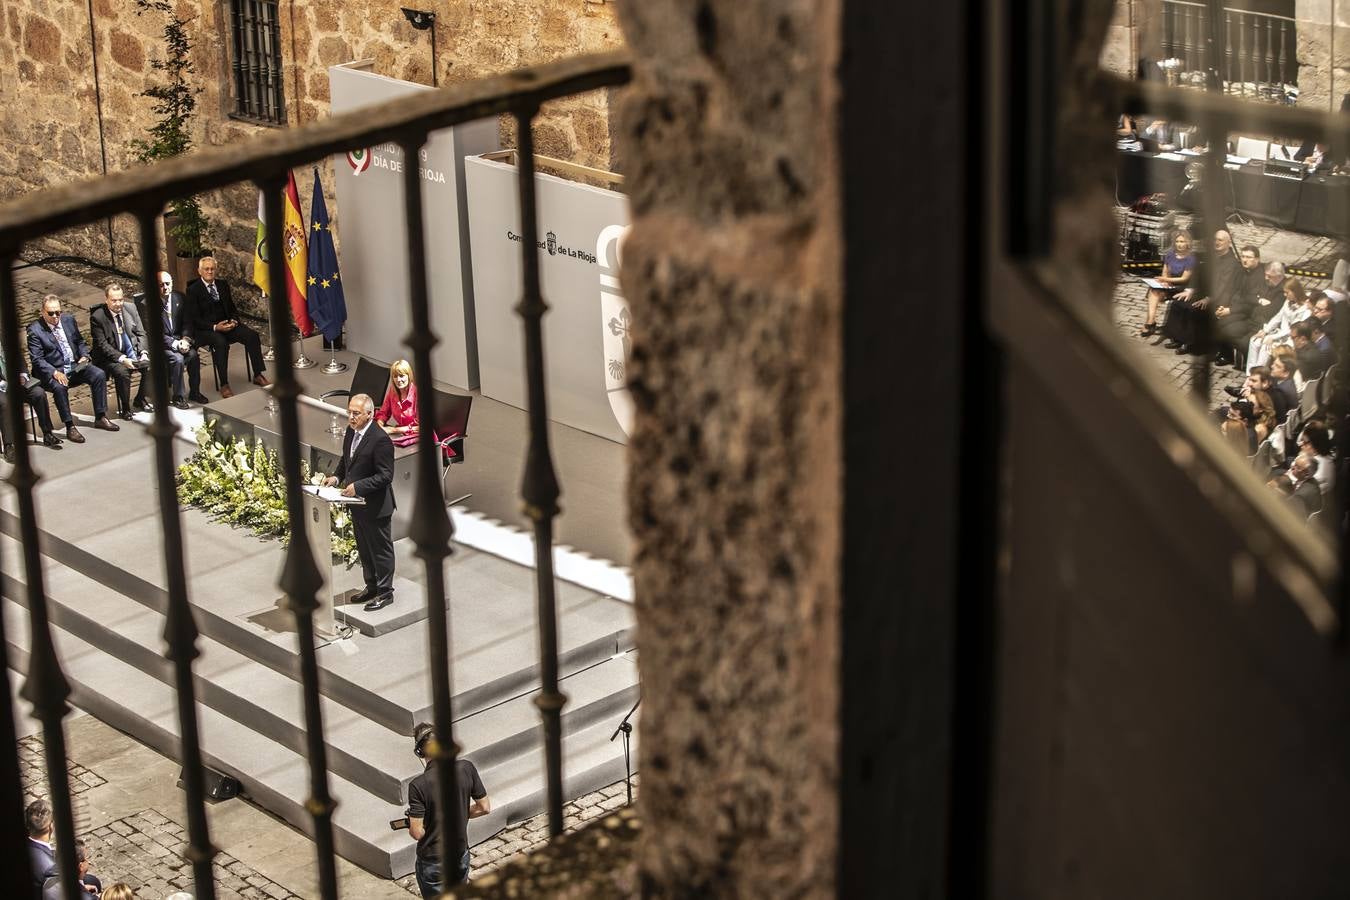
{"x":49,"y":125}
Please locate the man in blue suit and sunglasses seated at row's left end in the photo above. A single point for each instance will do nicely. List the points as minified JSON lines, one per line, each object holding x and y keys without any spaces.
{"x":61,"y":361}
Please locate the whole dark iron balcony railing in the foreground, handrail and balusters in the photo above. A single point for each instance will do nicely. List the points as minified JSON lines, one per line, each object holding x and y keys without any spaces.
{"x":145,"y":194}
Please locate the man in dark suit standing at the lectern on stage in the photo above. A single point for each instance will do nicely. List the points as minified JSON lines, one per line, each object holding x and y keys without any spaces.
{"x":367,"y":470}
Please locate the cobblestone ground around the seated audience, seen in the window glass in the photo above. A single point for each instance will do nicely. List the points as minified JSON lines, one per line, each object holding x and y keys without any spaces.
{"x":1129,"y":307}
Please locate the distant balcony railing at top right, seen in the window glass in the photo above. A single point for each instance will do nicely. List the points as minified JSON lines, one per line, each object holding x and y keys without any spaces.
{"x":1260,"y":51}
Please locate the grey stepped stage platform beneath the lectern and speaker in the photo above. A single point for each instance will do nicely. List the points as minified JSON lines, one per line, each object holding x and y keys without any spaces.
{"x":101,"y":542}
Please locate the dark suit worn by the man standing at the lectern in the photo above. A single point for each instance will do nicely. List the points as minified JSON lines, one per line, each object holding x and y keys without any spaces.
{"x":371,"y":472}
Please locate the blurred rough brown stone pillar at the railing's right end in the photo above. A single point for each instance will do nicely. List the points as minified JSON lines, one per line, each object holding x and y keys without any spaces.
{"x":732,"y":273}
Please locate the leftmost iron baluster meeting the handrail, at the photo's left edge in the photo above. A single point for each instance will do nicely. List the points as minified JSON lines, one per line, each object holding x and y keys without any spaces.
{"x":45,"y":687}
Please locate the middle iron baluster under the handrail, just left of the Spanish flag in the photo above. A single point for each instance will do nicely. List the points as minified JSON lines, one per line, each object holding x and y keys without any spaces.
{"x":300,"y":578}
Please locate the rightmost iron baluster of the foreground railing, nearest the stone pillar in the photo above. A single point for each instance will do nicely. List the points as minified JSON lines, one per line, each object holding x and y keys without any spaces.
{"x":539,"y":488}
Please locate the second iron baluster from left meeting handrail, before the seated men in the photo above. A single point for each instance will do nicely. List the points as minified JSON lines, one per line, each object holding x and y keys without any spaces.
{"x":180,"y":627}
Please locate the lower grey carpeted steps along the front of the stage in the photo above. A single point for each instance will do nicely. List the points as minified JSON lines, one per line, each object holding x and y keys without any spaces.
{"x":276,"y":775}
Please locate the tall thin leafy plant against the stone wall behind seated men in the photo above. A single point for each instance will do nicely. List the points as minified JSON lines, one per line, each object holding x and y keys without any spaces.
{"x":175,"y":105}
